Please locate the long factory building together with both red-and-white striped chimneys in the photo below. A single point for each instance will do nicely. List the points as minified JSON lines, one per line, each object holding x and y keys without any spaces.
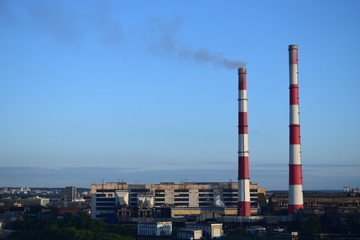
{"x":135,"y":200}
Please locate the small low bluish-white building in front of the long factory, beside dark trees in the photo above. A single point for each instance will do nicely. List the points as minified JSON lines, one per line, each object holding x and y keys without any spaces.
{"x":154,"y":229}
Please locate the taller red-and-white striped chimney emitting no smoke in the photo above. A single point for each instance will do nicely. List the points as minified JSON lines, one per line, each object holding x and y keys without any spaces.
{"x":295,"y":167}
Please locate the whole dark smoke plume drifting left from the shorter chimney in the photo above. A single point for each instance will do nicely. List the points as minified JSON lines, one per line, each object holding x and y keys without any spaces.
{"x":65,"y":24}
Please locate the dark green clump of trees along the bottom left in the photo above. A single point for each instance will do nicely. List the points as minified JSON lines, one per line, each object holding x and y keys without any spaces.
{"x":69,"y":228}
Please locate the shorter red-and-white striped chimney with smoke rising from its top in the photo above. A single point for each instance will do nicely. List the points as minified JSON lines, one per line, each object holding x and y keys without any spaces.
{"x":243,"y":208}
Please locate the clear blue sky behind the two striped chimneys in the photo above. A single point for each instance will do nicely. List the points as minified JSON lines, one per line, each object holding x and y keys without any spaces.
{"x":146,"y":91}
